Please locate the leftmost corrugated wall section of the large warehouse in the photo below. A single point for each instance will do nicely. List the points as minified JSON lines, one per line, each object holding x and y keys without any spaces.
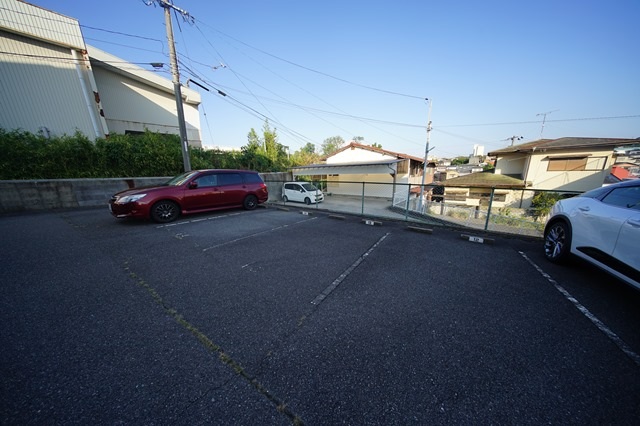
{"x":40,"y":88}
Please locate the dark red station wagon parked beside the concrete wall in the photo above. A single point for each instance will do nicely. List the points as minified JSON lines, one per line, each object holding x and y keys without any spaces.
{"x":191,"y":192}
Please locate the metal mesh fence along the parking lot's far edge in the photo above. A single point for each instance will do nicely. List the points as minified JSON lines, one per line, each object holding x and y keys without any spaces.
{"x":507,"y":210}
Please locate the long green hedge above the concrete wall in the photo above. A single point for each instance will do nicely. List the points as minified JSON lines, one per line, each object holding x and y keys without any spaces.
{"x":24,"y":155}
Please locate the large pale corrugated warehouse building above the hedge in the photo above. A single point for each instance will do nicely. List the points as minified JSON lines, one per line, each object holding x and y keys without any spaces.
{"x":54,"y":83}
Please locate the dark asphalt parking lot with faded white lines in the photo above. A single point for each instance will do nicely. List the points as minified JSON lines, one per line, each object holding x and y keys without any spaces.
{"x":276,"y":317}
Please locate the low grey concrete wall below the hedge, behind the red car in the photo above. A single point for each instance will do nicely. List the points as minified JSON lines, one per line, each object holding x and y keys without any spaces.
{"x":29,"y":195}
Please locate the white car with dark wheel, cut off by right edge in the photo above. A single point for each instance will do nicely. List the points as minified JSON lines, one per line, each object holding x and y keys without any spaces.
{"x":601,"y":226}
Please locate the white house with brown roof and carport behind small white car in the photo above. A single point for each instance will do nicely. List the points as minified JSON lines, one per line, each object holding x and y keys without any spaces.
{"x":384,"y":173}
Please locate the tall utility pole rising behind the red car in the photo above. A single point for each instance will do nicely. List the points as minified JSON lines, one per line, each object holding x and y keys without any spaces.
{"x":176,"y":77}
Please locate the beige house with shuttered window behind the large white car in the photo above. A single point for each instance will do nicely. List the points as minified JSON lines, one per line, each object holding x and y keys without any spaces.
{"x":565,"y":164}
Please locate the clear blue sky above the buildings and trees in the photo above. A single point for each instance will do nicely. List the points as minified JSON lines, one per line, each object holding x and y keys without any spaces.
{"x":363,"y":68}
